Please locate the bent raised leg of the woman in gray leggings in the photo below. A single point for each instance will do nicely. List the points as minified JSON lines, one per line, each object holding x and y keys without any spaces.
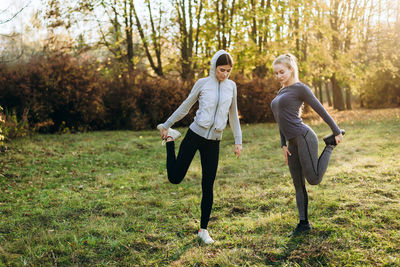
{"x":314,"y":168}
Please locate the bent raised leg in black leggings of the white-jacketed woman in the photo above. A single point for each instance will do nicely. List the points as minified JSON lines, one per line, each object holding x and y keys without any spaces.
{"x":177,"y":167}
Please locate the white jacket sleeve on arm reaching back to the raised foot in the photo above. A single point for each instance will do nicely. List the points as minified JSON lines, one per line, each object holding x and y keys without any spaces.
{"x":186,"y":105}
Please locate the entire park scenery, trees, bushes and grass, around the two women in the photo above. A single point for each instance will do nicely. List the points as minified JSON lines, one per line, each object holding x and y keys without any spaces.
{"x":101,"y":198}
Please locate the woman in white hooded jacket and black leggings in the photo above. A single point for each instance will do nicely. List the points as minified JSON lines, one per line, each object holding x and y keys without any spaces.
{"x":217,"y":100}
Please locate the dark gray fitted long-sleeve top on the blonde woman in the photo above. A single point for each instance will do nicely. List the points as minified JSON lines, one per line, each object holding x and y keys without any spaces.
{"x":286,"y":109}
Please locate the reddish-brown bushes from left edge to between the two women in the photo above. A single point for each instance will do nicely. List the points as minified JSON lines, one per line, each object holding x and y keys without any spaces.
{"x":60,"y":93}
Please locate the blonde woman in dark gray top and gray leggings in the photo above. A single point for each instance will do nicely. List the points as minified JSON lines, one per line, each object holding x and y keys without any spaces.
{"x":302,"y":153}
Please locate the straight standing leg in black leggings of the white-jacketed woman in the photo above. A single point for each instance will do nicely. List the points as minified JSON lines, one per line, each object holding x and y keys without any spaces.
{"x":209,"y":153}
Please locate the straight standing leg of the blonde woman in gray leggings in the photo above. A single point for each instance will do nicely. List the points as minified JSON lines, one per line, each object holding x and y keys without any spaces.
{"x":298,"y":180}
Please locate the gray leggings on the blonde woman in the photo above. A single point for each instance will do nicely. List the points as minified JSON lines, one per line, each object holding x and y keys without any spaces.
{"x":305,"y":164}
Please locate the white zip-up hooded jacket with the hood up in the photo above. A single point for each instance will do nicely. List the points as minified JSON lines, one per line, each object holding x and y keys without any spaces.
{"x":217,"y":100}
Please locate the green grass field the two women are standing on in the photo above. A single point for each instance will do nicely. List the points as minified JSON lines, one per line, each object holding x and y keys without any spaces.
{"x":103,"y":199}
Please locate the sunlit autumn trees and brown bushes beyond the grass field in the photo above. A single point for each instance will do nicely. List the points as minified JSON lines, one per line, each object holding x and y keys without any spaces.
{"x":124,"y":64}
